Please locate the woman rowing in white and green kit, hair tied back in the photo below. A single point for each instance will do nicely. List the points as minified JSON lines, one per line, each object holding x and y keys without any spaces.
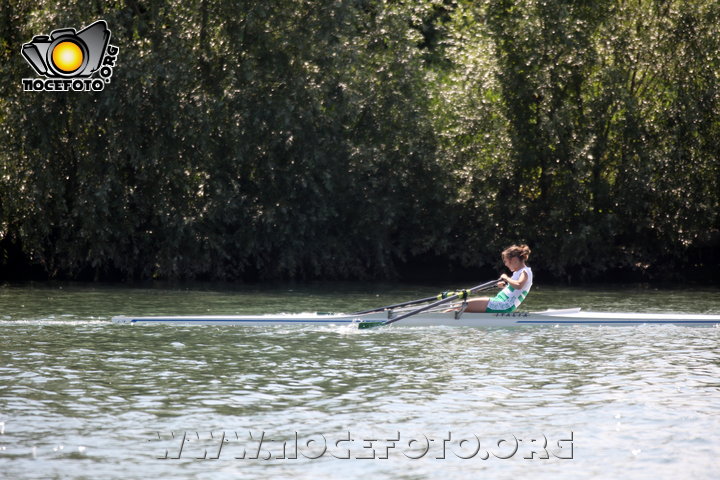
{"x":515,"y":288}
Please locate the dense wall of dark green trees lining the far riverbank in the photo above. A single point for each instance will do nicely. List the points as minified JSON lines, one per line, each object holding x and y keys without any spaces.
{"x":270,"y":139}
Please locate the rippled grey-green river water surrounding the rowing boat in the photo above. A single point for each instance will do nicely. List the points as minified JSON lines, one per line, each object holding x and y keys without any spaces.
{"x":81,"y":398}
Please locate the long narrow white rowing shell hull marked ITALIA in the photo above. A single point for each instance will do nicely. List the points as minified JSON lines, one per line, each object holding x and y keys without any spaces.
{"x":573,"y":316}
